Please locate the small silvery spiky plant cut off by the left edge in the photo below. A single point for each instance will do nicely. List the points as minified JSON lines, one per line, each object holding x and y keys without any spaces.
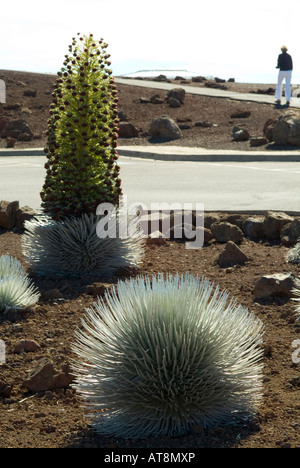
{"x":16,"y":289}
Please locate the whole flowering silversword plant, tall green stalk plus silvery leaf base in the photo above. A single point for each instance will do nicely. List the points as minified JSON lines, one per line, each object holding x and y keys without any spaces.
{"x":82,"y":171}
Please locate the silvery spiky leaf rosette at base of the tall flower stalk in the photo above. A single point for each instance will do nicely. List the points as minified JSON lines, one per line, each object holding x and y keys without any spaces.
{"x":73,"y":248}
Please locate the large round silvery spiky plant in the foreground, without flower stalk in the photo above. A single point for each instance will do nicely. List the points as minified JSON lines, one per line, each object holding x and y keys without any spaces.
{"x":164,"y":354}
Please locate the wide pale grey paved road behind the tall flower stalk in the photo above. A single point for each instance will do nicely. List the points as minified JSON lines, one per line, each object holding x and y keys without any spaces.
{"x":229,"y":186}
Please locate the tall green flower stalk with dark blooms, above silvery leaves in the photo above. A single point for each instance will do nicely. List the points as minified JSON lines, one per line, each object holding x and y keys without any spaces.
{"x":81,"y":168}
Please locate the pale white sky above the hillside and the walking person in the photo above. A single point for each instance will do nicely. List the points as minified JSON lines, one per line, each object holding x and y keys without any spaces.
{"x":219,"y":38}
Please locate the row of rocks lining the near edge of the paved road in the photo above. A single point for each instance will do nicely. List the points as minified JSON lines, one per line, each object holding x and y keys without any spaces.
{"x":218,"y":226}
